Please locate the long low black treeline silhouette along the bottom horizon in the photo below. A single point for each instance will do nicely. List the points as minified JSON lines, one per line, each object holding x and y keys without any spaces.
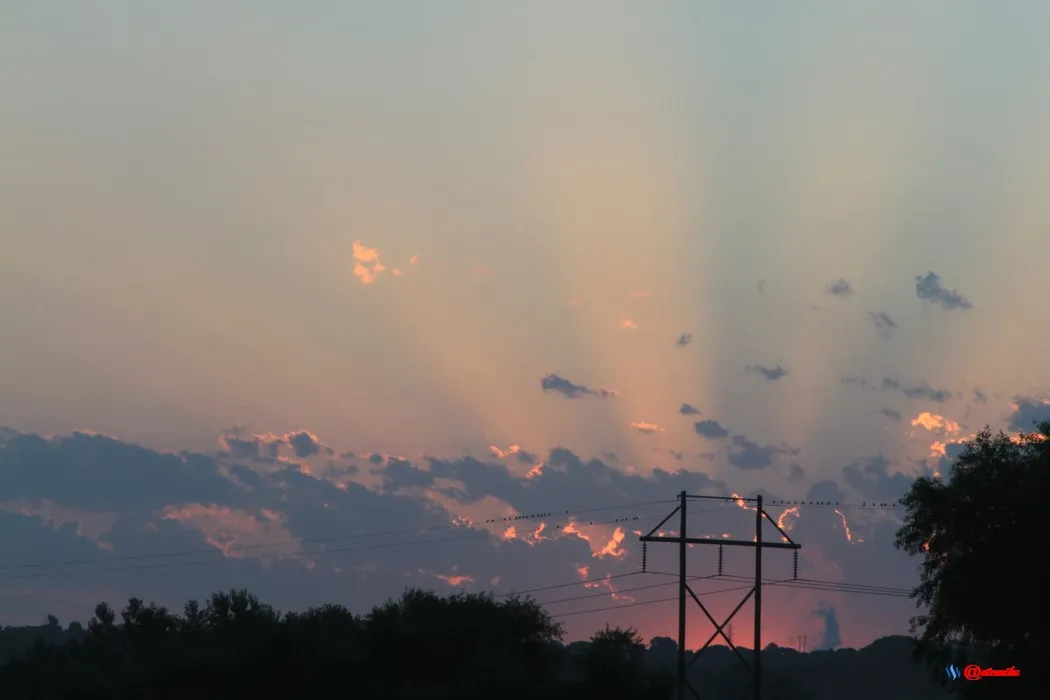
{"x":419,"y":647}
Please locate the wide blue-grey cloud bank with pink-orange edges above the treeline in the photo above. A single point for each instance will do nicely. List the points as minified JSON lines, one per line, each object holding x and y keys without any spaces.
{"x":300,"y":539}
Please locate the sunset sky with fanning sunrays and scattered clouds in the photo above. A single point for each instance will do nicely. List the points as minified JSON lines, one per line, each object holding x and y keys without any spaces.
{"x":279,"y":281}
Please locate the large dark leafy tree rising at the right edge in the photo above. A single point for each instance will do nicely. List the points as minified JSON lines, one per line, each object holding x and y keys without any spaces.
{"x":983,"y":535}
